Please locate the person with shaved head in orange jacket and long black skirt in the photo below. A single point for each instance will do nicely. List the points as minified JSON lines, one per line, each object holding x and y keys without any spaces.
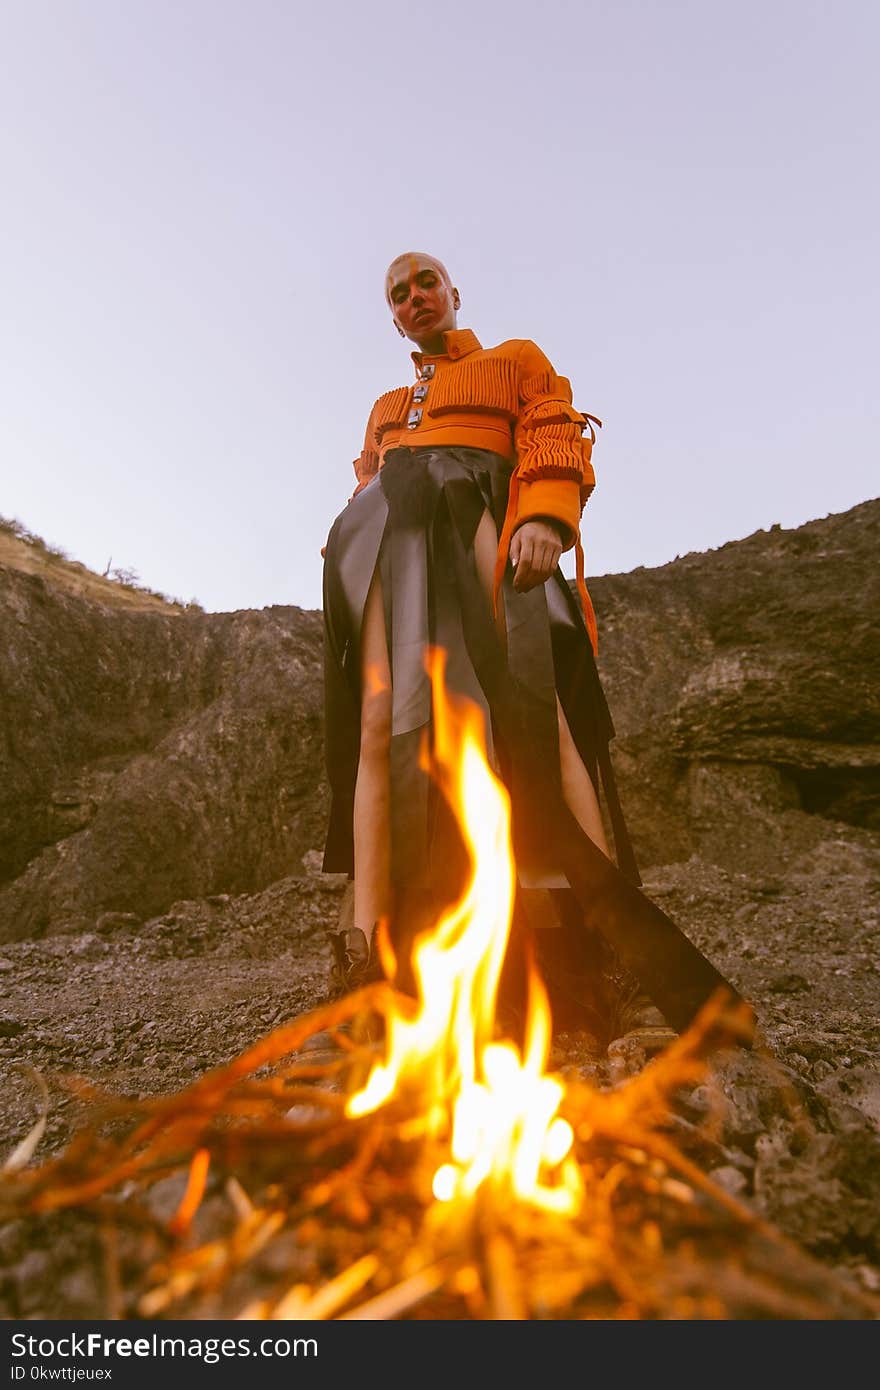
{"x":471,"y":487}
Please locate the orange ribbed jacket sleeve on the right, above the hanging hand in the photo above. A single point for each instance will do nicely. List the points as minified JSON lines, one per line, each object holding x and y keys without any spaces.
{"x":554,"y":461}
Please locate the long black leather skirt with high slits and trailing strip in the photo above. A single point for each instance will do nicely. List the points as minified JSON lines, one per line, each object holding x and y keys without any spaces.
{"x":418,"y":521}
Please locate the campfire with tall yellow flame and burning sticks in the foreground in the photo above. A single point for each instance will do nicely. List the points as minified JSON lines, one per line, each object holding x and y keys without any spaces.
{"x":423,"y":1164}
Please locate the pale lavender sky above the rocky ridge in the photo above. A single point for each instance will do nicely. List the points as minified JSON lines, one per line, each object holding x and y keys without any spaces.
{"x":676,"y":201}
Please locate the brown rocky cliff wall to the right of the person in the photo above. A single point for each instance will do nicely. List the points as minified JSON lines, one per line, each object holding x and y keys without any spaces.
{"x":744,"y":690}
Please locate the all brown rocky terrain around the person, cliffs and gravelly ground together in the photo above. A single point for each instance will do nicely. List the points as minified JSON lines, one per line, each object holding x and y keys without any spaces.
{"x":162,"y":775}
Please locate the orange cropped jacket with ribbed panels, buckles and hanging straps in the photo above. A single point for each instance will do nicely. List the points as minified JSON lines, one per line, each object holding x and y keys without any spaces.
{"x":511,"y":401}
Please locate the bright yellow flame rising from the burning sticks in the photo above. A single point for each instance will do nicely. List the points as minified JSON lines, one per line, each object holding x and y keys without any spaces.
{"x":496,"y":1106}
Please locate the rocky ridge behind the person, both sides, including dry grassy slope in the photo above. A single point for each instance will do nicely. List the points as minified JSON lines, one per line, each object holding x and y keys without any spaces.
{"x":151,"y":755}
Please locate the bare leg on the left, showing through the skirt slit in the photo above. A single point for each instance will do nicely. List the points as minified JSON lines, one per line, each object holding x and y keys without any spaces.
{"x":372,"y":824}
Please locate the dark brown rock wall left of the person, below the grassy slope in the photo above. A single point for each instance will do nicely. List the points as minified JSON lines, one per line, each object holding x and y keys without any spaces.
{"x":148,"y":757}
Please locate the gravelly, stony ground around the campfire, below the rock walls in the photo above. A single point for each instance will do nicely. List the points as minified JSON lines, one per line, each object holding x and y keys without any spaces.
{"x":144,"y":1008}
